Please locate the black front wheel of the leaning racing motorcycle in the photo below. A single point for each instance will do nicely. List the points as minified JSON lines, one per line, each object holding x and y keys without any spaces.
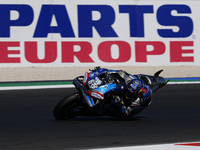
{"x":65,"y":109}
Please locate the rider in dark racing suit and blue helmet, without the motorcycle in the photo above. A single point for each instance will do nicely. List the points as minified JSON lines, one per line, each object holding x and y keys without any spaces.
{"x":135,"y":95}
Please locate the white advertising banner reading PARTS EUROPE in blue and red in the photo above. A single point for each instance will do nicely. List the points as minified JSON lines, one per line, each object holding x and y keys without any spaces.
{"x":59,"y":33}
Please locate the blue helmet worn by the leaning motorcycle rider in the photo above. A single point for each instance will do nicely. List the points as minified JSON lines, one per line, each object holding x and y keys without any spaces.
{"x":134,"y":88}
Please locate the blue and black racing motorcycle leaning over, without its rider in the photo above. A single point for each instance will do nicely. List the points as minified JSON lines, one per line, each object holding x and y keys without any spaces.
{"x":95,"y":92}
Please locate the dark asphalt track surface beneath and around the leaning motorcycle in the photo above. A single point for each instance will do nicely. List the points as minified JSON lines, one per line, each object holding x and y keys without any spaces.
{"x":26,"y":121}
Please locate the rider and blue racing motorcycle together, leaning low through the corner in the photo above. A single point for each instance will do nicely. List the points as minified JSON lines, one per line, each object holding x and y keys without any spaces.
{"x":104,"y":92}
